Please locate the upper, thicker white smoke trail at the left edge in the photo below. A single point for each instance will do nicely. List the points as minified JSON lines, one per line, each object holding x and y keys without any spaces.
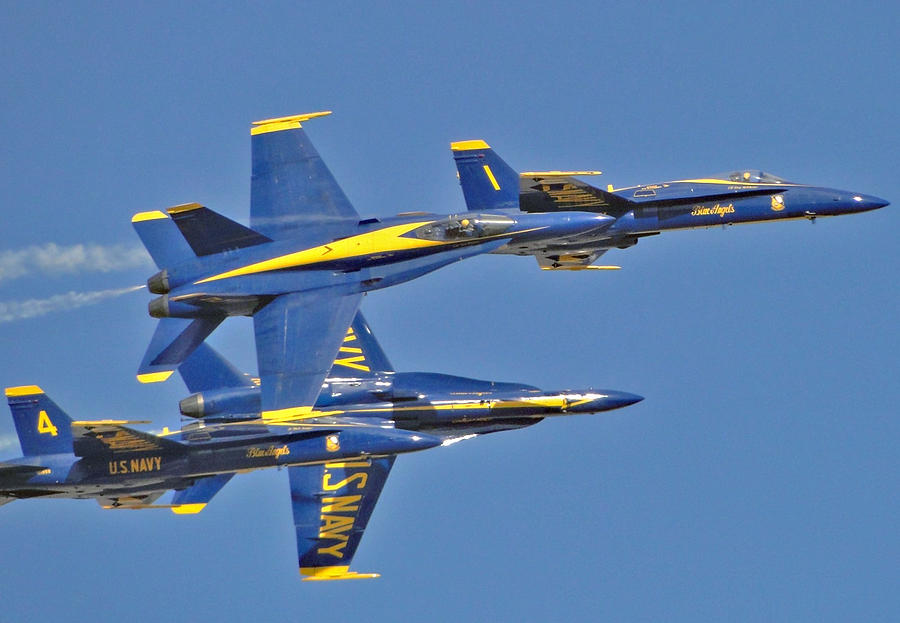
{"x":51,"y":258}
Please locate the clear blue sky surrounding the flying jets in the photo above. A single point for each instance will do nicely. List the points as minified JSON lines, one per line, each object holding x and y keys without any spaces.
{"x":757,"y":481}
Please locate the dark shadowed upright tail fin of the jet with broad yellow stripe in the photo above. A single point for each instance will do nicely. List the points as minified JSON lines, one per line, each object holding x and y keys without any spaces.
{"x":209,"y":232}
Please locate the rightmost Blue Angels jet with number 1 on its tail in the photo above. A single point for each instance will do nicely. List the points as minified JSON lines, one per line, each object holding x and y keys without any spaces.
{"x":743,"y":196}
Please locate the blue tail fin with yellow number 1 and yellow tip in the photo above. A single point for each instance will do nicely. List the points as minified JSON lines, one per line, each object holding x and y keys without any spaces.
{"x":488,"y":183}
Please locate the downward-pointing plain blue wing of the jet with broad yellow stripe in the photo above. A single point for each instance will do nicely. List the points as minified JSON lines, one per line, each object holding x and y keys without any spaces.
{"x":298,"y":336}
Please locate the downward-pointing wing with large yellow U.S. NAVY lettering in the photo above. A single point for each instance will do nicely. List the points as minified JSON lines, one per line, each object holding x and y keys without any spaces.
{"x":332,"y":504}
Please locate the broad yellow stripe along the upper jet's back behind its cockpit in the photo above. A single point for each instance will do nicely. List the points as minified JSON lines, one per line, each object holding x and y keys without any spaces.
{"x":379,"y":241}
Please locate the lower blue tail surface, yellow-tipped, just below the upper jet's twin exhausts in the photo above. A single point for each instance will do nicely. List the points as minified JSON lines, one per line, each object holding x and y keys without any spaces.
{"x":173,"y":342}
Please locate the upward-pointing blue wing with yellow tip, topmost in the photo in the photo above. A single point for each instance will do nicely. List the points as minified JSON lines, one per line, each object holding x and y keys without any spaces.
{"x":291,"y":189}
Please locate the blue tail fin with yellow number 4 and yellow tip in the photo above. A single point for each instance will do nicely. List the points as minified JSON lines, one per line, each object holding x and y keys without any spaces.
{"x":43,"y":427}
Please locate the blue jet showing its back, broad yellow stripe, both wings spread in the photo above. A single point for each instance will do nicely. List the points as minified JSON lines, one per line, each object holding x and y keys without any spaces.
{"x":304,"y":263}
